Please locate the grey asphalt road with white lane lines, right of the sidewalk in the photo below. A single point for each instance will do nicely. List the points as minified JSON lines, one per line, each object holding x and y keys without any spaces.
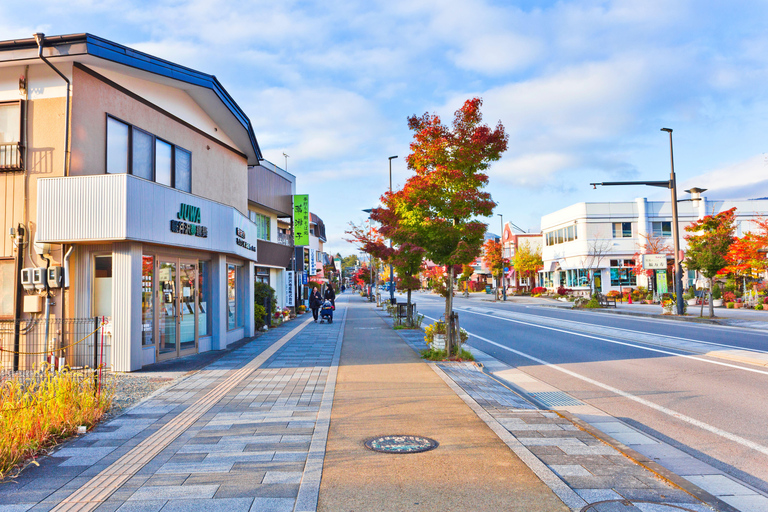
{"x":712,"y":409}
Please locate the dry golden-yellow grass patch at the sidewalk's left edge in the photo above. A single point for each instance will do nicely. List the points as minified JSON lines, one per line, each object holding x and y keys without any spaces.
{"x":38,"y":412}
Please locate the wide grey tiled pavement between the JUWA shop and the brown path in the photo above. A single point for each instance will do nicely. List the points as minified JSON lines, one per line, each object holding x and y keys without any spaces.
{"x":257,"y":448}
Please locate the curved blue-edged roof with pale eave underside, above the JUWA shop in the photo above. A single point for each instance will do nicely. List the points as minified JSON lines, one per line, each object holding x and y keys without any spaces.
{"x":205,"y":89}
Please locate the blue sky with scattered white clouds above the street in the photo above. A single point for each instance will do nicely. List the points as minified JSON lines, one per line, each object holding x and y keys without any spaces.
{"x":581,"y":87}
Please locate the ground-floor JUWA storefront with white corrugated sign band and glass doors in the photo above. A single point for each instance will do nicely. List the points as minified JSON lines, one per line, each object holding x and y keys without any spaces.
{"x":173,"y":272}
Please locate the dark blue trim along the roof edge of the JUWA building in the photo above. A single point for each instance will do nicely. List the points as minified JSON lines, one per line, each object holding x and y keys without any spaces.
{"x":114,"y":52}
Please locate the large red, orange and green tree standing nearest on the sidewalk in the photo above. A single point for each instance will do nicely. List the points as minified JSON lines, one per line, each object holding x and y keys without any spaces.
{"x":442,"y":200}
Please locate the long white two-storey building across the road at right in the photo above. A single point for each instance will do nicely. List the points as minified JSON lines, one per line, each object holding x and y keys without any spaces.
{"x":600,"y":240}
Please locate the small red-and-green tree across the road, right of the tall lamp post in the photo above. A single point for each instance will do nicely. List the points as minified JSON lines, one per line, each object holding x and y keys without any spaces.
{"x":708,"y":245}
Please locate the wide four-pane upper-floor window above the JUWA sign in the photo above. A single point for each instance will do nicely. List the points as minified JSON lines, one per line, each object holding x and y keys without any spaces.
{"x":134,"y":151}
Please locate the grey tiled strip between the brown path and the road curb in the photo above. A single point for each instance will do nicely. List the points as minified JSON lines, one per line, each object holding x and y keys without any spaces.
{"x":594,"y":471}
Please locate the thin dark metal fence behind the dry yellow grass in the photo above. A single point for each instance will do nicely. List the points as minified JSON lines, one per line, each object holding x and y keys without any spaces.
{"x":25,"y":345}
